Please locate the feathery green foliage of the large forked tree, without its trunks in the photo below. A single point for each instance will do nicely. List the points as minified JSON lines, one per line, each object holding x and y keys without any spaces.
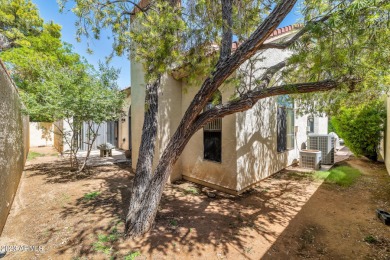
{"x":341,"y":40}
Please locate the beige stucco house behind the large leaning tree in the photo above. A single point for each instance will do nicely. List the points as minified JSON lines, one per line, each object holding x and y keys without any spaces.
{"x":233,"y":153}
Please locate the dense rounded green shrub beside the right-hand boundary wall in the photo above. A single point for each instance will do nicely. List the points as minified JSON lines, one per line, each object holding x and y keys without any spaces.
{"x":361,"y":127}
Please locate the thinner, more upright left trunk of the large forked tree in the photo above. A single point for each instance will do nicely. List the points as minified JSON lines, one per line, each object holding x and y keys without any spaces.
{"x":146,"y":152}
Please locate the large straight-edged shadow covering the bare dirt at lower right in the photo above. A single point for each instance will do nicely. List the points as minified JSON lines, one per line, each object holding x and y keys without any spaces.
{"x":336,"y":221}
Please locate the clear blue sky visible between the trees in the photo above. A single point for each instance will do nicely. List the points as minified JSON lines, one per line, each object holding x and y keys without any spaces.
{"x":50,"y":12}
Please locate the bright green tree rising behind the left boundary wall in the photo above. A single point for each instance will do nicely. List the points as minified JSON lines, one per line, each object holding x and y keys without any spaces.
{"x":33,"y":49}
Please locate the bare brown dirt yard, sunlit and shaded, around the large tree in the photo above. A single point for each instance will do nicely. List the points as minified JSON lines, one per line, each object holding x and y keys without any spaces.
{"x":287,"y":216}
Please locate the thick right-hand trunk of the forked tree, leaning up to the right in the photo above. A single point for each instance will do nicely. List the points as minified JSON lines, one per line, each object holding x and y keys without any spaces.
{"x":141,"y":217}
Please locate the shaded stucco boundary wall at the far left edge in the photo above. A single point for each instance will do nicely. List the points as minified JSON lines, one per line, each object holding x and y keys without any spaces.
{"x":14,"y":142}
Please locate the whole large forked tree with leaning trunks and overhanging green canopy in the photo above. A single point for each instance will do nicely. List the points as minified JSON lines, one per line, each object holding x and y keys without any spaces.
{"x":341,"y":46}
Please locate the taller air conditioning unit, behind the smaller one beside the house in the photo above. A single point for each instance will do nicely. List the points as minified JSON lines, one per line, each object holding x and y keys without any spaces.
{"x":325,"y":144}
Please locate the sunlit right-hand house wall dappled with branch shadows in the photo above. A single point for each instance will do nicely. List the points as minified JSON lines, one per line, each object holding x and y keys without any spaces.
{"x":257,"y":155}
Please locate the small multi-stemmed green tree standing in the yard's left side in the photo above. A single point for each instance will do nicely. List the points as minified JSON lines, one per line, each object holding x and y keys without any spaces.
{"x":82,"y":98}
